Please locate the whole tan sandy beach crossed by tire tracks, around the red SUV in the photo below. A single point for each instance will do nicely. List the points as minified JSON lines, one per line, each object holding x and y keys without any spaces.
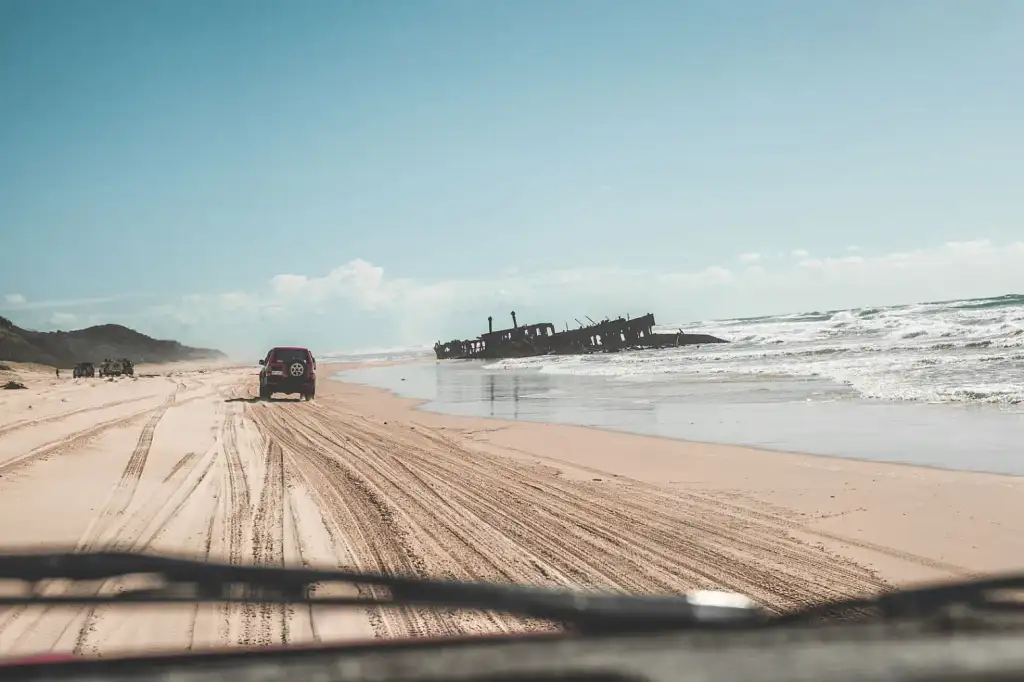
{"x":184,"y":459}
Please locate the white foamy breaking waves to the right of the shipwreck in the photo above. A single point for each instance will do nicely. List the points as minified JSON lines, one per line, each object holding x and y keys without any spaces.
{"x":952,"y":352}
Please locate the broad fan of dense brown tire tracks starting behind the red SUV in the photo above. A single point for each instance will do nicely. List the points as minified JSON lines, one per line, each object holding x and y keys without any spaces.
{"x":464,"y":514}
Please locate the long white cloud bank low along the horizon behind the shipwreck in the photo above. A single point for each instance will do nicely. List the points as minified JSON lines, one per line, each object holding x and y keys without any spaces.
{"x":360,"y":305}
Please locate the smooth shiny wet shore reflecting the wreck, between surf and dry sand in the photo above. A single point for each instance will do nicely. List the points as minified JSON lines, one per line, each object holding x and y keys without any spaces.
{"x":790,"y":415}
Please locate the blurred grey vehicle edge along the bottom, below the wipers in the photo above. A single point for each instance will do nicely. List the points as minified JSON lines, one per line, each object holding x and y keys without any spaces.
{"x":868,"y":652}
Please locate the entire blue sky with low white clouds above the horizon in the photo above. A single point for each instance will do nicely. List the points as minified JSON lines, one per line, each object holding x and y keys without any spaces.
{"x":359,"y":175}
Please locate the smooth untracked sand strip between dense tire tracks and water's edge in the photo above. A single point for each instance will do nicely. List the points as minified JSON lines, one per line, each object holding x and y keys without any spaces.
{"x":906,"y":522}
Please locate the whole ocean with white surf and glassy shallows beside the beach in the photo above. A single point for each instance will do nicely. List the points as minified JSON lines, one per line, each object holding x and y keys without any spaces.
{"x":936,"y":385}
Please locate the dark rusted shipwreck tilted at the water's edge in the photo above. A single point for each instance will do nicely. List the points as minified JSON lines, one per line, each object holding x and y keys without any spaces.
{"x":542,"y":339}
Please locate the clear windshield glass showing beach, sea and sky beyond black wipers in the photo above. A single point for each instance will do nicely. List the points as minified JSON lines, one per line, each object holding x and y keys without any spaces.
{"x":628,"y":297}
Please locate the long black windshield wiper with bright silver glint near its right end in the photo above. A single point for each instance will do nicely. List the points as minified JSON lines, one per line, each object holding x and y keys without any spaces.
{"x":150,"y":579}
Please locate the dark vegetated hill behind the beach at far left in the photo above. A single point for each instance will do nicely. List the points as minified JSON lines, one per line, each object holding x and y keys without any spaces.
{"x":93,"y":346}
